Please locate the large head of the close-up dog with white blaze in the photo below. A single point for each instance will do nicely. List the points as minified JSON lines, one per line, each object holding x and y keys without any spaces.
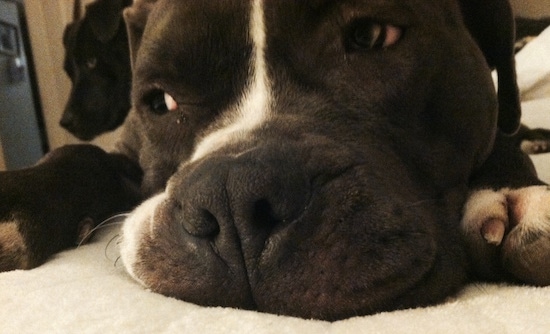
{"x":317,"y":152}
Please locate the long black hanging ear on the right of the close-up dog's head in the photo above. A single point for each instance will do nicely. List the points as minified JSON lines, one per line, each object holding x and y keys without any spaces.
{"x":491,"y":23}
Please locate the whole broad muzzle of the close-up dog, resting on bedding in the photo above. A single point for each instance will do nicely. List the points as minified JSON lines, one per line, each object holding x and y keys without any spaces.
{"x":297,"y":229}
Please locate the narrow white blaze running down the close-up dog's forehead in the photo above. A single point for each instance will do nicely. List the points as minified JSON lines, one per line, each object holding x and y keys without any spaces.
{"x":254,"y":107}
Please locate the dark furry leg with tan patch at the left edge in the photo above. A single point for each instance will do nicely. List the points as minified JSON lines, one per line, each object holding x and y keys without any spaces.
{"x":49,"y":207}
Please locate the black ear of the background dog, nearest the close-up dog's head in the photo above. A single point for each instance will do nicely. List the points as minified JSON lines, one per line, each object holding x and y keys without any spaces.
{"x":105,"y":17}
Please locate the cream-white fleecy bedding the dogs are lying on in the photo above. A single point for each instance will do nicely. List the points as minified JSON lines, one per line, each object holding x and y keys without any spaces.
{"x":87,"y":291}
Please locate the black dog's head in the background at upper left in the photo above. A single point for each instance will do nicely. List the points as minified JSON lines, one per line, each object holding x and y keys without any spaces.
{"x":98,"y":64}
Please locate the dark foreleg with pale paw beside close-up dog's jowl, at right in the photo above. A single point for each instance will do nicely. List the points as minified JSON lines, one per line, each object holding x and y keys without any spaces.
{"x":506,"y":221}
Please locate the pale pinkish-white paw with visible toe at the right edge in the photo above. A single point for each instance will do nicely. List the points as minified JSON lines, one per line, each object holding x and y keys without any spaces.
{"x":507,"y":232}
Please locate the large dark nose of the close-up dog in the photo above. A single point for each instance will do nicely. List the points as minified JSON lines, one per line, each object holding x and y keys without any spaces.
{"x":252,"y":194}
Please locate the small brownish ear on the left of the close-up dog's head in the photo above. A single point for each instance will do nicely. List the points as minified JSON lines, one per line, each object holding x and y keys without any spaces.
{"x":136,"y":18}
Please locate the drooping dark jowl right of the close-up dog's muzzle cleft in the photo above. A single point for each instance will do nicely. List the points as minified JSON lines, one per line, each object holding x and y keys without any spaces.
{"x":358,"y":258}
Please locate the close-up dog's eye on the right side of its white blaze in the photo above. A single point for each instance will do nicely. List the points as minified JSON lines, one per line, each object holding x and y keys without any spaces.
{"x":366,"y":34}
